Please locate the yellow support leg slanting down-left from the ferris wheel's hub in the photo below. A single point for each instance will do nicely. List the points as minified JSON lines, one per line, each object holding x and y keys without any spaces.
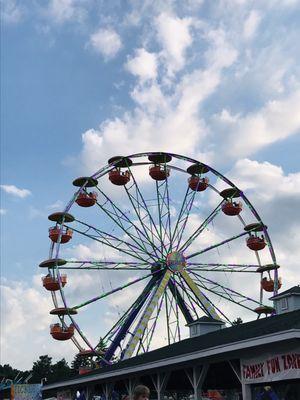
{"x":142,"y":324}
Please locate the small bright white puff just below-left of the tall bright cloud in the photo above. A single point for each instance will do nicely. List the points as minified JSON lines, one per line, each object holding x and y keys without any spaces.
{"x":143,"y":64}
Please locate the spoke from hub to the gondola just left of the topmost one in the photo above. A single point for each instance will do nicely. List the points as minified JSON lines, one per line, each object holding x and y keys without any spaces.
{"x":141,"y":205}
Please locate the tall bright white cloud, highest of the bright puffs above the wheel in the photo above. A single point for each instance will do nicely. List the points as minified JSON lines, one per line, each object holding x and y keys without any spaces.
{"x":174,"y":35}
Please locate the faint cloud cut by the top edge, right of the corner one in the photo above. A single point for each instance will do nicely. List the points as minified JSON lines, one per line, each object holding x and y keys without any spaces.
{"x":61,"y":11}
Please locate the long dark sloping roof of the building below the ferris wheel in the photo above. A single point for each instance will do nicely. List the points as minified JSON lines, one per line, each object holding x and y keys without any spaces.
{"x":224,"y":337}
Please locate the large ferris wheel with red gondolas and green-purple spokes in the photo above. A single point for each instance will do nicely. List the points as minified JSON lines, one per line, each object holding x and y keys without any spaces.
{"x":149,"y":244}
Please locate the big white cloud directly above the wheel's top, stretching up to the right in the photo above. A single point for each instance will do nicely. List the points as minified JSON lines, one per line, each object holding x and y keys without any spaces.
{"x":165,"y":120}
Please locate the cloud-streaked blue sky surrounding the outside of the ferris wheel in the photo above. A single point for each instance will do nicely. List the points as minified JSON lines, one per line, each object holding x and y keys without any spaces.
{"x":83,"y":80}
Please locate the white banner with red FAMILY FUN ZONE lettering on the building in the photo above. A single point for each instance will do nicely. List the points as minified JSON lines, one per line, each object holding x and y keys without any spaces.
{"x":271,"y":367}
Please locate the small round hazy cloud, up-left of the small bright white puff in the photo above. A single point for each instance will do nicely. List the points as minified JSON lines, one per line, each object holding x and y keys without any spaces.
{"x":106,"y":42}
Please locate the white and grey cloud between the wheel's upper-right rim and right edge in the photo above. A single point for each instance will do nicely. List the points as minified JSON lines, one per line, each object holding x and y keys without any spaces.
{"x":276,"y":196}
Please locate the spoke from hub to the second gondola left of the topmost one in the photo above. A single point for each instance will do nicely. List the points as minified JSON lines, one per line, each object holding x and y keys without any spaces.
{"x":119,"y":217}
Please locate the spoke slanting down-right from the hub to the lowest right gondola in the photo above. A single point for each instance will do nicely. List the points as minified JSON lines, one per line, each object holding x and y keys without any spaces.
{"x":223,"y":291}
